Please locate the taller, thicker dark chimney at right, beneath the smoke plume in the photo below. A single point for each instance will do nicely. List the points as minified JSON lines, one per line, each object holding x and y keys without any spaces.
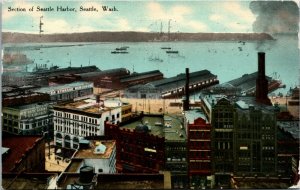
{"x":262,"y":82}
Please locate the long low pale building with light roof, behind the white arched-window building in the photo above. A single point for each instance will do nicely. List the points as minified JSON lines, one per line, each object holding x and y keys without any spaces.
{"x":66,"y":92}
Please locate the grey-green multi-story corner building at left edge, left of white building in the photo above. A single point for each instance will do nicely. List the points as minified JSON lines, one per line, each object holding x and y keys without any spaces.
{"x":27,"y":119}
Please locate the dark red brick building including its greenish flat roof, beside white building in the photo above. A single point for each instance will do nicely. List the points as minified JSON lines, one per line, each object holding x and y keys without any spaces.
{"x":140,"y":145}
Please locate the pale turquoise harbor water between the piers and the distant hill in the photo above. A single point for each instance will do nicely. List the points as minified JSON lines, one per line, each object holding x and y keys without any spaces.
{"x":226,"y":59}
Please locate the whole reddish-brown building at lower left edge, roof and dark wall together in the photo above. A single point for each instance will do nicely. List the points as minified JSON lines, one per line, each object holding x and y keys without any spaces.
{"x":23,"y":154}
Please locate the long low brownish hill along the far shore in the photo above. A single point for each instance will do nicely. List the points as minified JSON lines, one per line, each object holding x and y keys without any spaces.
{"x":8,"y":37}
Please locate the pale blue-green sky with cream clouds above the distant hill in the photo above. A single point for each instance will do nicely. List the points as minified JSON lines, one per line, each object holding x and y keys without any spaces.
{"x":144,"y":16}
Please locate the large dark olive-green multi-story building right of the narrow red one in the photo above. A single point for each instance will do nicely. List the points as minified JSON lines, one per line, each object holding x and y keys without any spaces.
{"x":243,"y":138}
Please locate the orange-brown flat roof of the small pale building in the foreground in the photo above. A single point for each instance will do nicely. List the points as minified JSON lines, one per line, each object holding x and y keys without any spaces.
{"x":89,"y":153}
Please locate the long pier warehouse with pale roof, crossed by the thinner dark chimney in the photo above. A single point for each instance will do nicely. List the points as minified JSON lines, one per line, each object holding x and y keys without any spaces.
{"x":172,"y":87}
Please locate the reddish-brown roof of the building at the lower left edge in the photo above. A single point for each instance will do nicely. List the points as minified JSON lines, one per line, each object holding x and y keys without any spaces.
{"x":18,"y":146}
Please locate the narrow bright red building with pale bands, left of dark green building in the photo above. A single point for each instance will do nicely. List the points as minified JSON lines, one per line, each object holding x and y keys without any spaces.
{"x":199,"y":152}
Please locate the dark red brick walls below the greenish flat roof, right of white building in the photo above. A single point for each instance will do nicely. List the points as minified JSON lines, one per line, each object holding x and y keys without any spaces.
{"x":137,"y":150}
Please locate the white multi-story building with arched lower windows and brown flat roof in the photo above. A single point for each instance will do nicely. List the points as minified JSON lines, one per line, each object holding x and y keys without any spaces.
{"x":76,"y":120}
